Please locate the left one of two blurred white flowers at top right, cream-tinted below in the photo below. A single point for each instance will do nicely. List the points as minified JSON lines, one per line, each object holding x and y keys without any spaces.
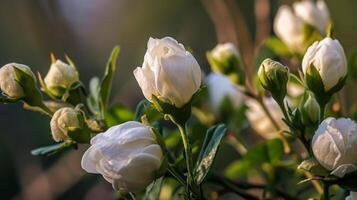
{"x":290,"y":29}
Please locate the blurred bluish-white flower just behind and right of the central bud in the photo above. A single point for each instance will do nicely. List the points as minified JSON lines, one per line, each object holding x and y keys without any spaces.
{"x":220,"y":87}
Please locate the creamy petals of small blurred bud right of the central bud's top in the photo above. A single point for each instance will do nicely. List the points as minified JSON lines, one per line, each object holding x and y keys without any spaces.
{"x":224,"y":51}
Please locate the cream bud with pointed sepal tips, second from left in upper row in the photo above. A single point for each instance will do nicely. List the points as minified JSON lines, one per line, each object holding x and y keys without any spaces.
{"x":60,"y":78}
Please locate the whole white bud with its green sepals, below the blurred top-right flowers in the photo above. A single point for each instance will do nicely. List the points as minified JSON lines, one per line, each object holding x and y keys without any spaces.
{"x":325,"y":67}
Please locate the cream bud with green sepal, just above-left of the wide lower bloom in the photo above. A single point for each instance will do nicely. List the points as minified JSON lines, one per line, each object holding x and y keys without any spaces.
{"x":68,"y":123}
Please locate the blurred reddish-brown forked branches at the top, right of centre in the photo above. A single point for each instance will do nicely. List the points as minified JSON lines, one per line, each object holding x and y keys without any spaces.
{"x":231,"y":26}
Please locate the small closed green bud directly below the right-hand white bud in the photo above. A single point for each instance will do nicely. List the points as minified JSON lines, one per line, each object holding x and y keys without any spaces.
{"x":310,"y":109}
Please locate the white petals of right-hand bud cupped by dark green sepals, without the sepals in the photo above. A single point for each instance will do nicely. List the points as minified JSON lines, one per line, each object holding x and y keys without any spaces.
{"x":329,"y":59}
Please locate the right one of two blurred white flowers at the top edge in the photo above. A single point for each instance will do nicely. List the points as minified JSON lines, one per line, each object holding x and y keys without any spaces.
{"x":315,"y":14}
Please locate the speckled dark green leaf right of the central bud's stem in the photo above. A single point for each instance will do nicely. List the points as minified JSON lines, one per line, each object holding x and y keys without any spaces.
{"x":208,"y":151}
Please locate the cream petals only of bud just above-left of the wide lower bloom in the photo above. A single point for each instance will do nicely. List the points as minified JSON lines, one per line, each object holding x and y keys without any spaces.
{"x":63,"y":121}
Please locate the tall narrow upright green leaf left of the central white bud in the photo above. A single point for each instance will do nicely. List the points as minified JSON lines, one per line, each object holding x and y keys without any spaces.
{"x":106,"y":83}
